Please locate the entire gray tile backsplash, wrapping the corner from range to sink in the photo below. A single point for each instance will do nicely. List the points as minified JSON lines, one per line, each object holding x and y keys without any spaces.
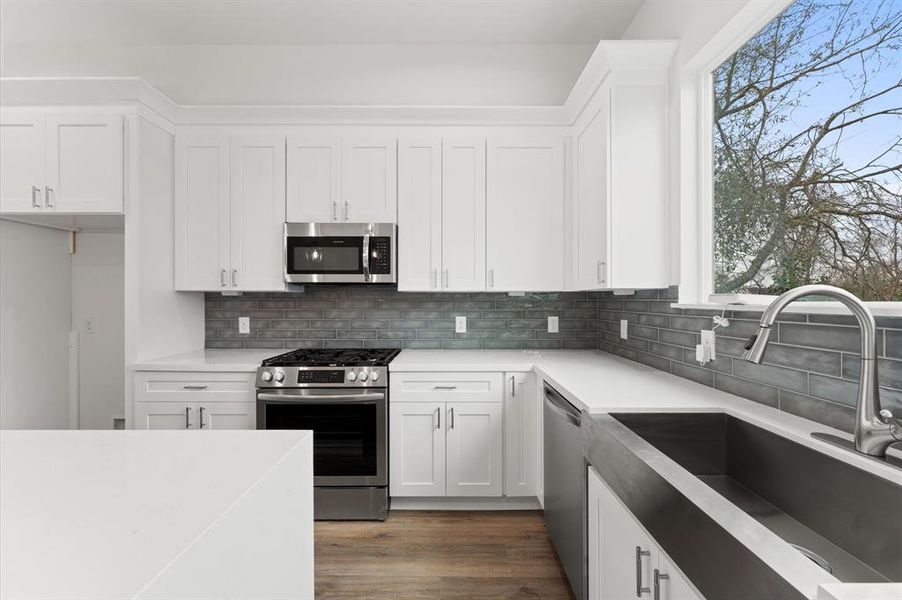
{"x":810,"y":368}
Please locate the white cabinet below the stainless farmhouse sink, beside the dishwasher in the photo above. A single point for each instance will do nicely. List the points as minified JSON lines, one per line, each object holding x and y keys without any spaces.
{"x":624,"y":560}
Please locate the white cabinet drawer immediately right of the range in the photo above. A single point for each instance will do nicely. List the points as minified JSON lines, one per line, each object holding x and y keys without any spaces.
{"x":452,"y":387}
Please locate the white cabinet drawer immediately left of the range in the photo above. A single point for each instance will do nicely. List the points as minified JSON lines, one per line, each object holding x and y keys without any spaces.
{"x":194,"y":387}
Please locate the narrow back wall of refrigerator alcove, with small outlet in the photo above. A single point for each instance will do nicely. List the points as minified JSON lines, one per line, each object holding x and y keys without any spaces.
{"x":98,"y":295}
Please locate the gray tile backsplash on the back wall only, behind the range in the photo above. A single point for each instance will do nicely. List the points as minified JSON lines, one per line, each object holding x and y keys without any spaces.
{"x":336,"y":316}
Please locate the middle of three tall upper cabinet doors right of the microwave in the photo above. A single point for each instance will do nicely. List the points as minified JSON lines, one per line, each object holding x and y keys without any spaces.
{"x":463,"y":215}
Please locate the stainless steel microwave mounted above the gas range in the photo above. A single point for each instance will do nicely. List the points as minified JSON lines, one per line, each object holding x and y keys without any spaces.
{"x":340,"y":253}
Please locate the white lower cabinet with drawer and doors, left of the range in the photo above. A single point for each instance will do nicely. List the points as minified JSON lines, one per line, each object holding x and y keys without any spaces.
{"x":188,"y":400}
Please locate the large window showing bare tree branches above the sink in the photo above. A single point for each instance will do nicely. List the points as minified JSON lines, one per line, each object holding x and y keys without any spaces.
{"x":807,"y":152}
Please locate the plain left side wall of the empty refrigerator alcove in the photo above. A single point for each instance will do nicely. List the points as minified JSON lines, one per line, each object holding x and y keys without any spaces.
{"x":35,"y":317}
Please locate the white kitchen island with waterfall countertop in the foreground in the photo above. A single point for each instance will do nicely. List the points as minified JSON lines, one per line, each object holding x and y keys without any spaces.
{"x":156,"y":514}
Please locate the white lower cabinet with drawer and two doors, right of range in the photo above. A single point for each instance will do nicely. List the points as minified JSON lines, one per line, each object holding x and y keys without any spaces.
{"x":446,"y":435}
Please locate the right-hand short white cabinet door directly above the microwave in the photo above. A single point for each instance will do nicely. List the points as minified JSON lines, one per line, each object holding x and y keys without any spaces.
{"x":369,"y":180}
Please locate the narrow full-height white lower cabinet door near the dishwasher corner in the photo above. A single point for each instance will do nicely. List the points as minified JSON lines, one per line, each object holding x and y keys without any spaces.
{"x":521,"y":434}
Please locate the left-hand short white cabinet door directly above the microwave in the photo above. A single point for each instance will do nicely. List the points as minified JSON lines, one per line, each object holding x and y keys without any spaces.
{"x":314,"y":179}
